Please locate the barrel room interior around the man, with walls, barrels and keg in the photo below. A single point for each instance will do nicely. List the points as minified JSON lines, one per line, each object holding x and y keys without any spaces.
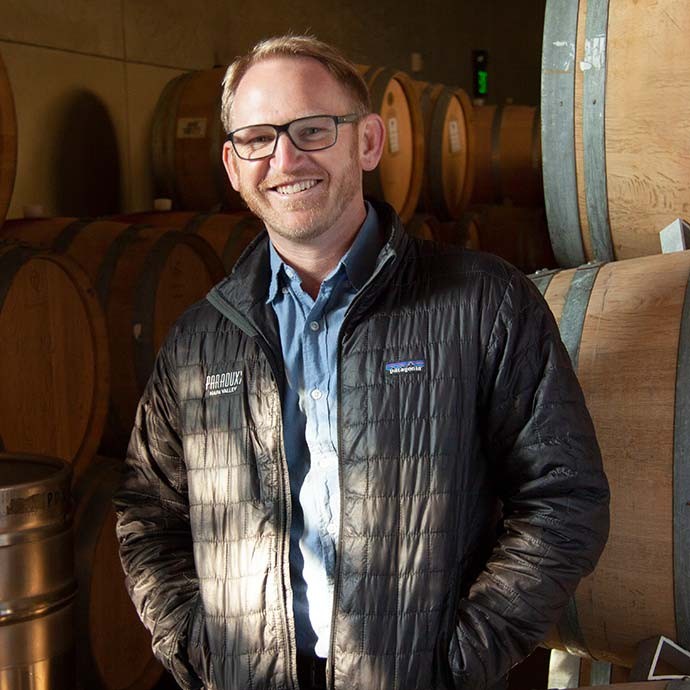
{"x":553,"y":133}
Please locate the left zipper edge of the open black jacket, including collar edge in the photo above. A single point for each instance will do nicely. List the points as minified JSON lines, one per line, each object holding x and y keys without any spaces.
{"x":249,"y":329}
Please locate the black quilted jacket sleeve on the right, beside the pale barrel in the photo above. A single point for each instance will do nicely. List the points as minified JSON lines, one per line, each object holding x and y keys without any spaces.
{"x":540,"y":440}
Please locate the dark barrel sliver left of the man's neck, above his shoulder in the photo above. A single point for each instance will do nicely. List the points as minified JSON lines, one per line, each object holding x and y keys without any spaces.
{"x":227,"y":233}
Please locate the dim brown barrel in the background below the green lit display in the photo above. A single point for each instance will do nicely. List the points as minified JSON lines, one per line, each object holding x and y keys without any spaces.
{"x":508,"y":156}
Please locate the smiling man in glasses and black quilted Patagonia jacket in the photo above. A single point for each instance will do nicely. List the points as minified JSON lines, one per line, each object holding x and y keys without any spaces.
{"x":364,"y":461}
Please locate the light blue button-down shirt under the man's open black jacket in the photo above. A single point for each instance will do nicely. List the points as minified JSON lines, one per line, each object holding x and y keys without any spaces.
{"x":309,"y":332}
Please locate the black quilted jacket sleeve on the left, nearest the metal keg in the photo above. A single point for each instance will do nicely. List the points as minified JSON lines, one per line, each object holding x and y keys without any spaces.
{"x":153,"y":527}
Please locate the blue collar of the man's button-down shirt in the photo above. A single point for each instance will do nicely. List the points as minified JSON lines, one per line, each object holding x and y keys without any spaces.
{"x":359,"y":261}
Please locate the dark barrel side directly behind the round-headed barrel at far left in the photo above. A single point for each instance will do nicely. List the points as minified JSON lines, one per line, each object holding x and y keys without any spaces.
{"x":145,"y":277}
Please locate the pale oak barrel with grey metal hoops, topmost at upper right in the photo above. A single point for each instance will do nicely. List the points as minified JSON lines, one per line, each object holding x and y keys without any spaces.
{"x":615,"y":113}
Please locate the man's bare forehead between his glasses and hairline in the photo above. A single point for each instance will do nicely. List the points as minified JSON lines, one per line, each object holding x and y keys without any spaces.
{"x":280,"y":89}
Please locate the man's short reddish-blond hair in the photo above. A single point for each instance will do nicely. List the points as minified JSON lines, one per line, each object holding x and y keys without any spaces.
{"x":291,"y":45}
